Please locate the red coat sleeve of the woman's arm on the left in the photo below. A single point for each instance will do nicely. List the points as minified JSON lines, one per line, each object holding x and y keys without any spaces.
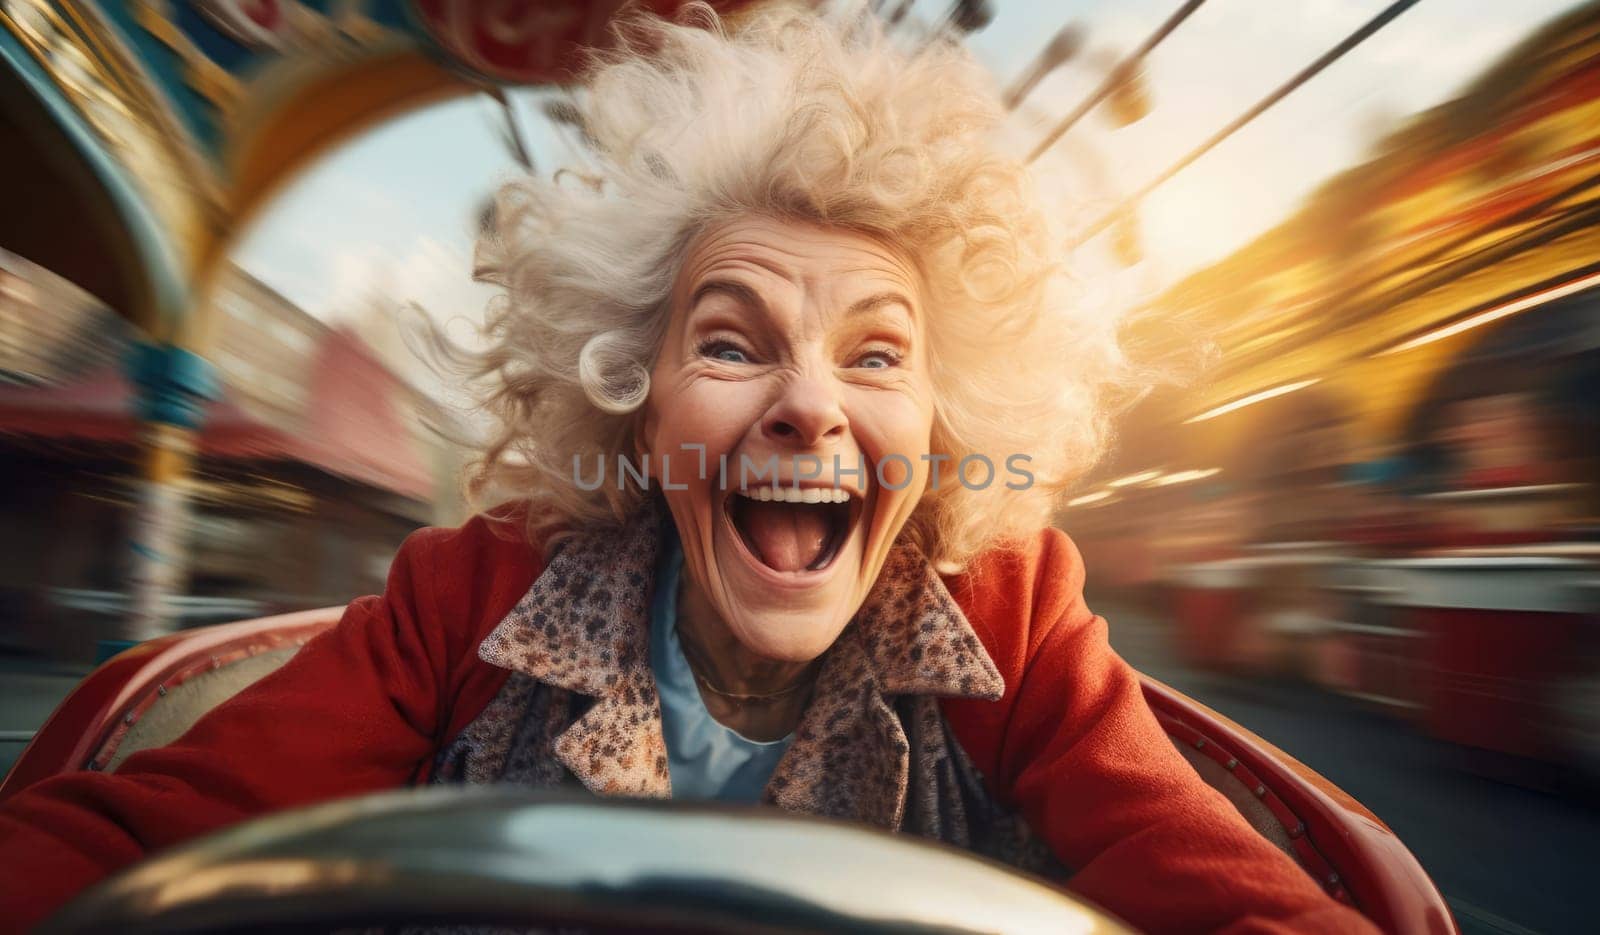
{"x":354,"y":712}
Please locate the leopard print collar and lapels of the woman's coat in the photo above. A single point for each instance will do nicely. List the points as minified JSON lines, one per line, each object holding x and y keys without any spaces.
{"x":585,"y":627}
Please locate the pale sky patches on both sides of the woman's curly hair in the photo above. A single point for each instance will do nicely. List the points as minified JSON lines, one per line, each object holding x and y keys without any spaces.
{"x":394,"y":209}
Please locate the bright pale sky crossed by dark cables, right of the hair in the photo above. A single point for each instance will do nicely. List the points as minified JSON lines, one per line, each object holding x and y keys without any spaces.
{"x":1218,"y":63}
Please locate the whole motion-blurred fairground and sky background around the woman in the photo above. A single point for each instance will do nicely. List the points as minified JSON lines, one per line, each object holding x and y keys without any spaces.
{"x":1359,"y":241}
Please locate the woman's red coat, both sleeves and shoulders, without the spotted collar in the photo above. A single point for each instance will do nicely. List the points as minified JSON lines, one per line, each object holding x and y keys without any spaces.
{"x":367,"y":705}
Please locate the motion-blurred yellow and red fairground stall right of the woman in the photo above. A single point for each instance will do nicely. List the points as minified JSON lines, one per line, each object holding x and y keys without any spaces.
{"x":1383,"y":478}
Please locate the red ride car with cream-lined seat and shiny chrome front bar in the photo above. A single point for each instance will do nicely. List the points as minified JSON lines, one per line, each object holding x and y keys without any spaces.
{"x":495,"y":856}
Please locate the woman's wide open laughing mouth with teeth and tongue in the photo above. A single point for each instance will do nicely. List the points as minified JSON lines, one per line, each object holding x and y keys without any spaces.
{"x":793,"y":529}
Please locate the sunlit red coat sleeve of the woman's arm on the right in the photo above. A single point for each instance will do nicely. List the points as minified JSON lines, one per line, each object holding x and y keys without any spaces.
{"x":1090,"y":768}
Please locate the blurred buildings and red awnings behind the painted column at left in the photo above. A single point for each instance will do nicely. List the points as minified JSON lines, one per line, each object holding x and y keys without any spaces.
{"x":306,"y":473}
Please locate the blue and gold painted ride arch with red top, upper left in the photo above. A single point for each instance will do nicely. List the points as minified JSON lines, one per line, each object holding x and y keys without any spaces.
{"x":222,"y":113}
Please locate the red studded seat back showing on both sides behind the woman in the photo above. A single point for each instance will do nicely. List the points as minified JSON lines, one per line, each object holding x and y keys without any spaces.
{"x":154,"y":692}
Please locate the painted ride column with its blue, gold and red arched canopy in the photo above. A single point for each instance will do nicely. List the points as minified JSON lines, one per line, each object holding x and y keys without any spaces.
{"x":143,"y":137}
